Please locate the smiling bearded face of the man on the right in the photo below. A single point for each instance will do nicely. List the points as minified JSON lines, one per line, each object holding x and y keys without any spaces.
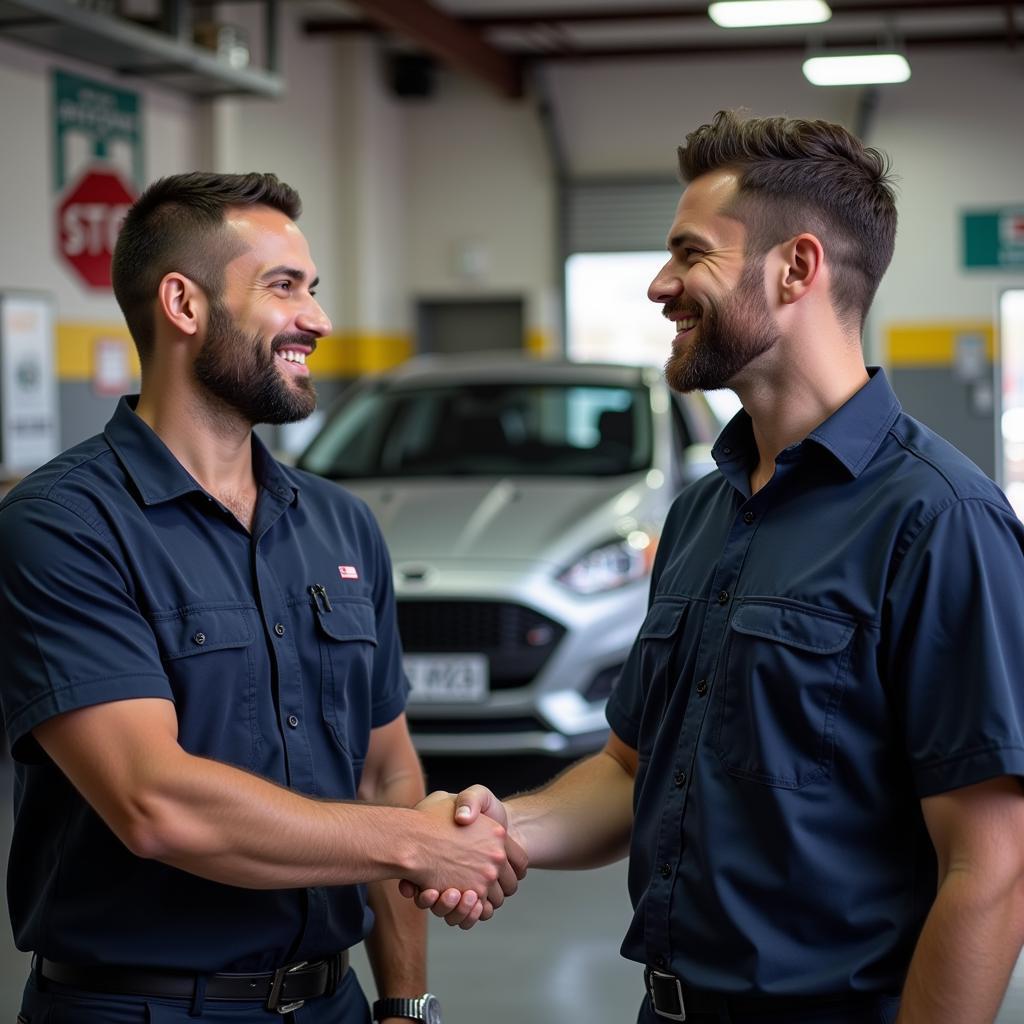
{"x":711,"y":291}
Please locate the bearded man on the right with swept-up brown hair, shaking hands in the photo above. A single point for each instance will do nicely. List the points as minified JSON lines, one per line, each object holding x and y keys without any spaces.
{"x":818,"y":742}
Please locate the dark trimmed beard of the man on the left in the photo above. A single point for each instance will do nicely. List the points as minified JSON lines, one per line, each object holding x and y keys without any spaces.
{"x":240,"y":371}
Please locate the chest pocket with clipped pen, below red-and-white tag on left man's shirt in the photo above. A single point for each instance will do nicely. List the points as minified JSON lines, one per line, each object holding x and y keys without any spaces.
{"x":348,"y":641}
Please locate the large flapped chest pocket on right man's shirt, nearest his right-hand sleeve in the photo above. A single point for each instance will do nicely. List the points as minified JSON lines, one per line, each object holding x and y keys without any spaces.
{"x":780,"y":694}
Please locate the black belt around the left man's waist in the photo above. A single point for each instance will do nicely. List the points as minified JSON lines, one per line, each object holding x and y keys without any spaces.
{"x":282,"y":991}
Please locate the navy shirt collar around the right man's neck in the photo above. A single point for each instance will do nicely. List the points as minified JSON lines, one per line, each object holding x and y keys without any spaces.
{"x":852,"y":435}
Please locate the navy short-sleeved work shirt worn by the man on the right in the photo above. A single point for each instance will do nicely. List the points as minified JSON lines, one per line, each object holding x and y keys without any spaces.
{"x":817,"y":659}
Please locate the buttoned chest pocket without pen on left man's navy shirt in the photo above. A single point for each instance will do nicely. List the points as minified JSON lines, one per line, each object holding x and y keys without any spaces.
{"x":208,"y":655}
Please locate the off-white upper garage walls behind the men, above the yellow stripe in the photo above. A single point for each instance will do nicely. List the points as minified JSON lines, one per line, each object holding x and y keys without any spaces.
{"x":395,"y":191}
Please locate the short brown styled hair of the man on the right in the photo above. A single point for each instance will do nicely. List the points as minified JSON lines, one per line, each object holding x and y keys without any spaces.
{"x":815,"y":177}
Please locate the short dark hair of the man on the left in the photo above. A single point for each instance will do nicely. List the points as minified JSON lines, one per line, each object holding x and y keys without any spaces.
{"x":178,"y":225}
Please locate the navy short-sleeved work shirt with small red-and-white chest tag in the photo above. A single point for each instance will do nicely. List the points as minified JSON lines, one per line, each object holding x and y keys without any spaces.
{"x":122,"y":578}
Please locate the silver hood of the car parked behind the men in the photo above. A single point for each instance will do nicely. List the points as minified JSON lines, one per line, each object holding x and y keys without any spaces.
{"x":497,"y":519}
